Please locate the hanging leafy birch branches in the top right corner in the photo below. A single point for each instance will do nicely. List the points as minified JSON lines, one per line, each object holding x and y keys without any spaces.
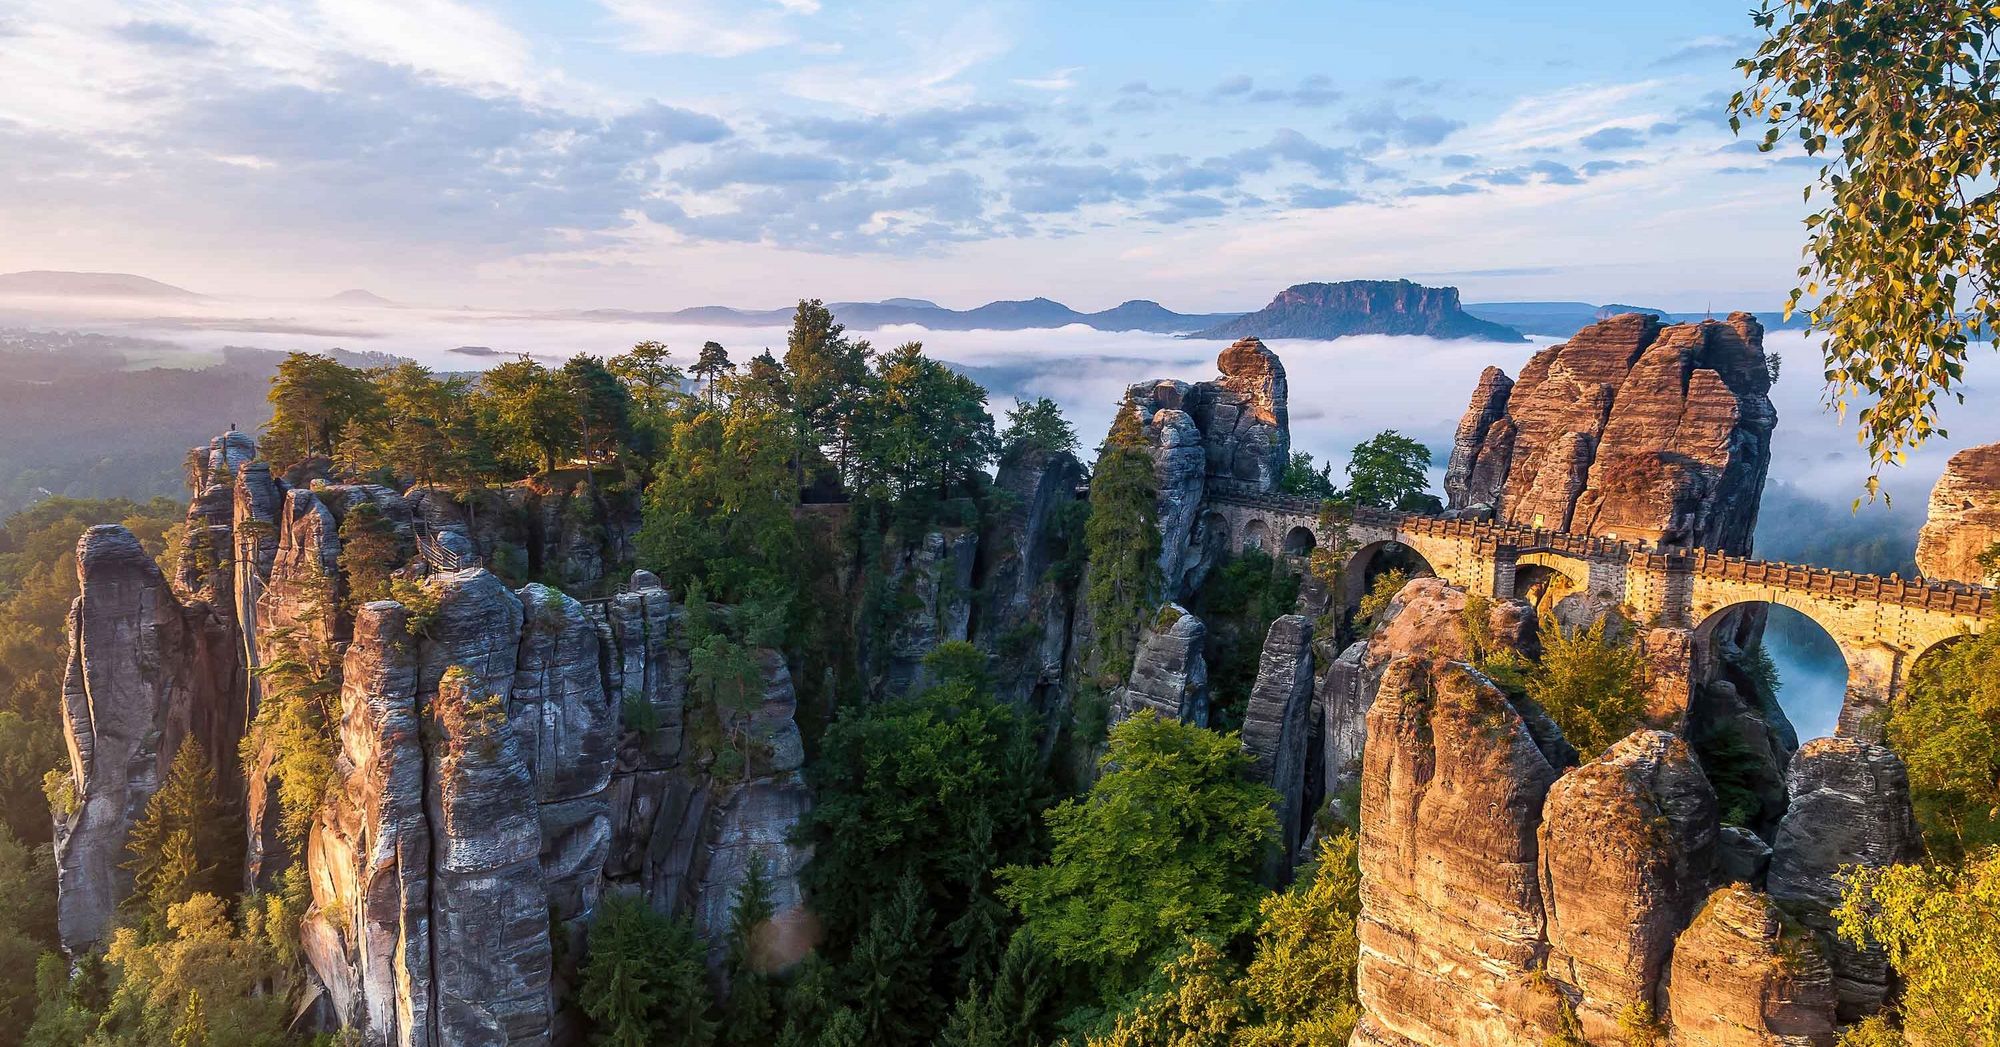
{"x":1903,"y":107}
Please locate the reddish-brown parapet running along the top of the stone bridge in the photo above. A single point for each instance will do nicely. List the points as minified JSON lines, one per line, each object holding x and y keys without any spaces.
{"x":1923,"y":594}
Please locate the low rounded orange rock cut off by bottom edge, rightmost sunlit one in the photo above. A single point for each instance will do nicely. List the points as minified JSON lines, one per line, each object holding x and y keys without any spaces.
{"x":1745,"y":976}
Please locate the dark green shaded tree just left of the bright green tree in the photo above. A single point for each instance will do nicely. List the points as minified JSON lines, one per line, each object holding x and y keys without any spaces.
{"x":933,"y":790}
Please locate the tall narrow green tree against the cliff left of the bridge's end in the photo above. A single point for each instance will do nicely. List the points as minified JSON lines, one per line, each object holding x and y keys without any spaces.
{"x":1123,"y":540}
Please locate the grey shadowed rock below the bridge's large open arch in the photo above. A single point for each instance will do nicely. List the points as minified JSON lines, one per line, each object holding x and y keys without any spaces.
{"x":1849,"y":806}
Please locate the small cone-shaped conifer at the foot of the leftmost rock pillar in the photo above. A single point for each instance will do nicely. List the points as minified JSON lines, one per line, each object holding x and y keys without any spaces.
{"x":183,"y":846}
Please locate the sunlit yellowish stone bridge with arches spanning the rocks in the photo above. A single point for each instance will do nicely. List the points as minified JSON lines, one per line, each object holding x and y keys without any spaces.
{"x":1881,"y":624}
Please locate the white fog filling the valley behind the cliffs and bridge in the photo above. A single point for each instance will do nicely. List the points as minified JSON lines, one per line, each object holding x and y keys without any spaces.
{"x":1341,"y":393}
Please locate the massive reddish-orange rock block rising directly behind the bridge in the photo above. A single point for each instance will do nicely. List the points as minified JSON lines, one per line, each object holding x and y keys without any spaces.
{"x":1629,"y":429}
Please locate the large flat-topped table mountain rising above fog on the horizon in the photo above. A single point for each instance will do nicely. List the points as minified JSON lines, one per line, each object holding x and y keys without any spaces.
{"x":1361,"y":307}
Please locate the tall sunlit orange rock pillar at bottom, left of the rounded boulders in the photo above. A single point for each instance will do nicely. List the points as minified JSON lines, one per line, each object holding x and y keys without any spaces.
{"x":1451,"y":926}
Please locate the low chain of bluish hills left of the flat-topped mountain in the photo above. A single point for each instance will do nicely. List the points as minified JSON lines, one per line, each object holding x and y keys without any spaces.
{"x":993,"y":317}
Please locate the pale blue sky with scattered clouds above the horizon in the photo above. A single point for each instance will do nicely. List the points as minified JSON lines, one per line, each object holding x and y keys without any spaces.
{"x":673,"y":153}
